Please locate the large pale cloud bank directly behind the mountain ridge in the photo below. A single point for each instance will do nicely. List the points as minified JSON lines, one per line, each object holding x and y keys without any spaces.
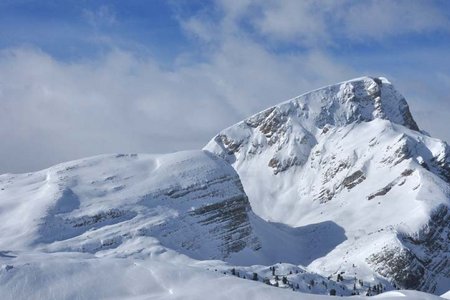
{"x":53,"y":111}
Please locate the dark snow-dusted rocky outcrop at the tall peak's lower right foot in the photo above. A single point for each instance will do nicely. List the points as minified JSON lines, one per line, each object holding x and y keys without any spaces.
{"x":423,"y":259}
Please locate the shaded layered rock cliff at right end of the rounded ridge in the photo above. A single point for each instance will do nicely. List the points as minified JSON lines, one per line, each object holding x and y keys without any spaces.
{"x":216,"y":224}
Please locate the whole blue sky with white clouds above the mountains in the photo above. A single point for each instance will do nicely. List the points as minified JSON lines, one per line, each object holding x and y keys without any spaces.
{"x":80,"y":78}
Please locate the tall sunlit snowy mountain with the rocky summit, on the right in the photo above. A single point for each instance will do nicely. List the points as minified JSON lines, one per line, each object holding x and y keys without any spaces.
{"x":351,"y":153}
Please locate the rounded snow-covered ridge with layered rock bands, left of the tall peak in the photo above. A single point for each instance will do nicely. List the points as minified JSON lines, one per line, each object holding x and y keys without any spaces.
{"x":192,"y":202}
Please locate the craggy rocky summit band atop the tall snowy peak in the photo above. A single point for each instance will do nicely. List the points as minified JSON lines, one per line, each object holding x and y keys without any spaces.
{"x":291,"y":129}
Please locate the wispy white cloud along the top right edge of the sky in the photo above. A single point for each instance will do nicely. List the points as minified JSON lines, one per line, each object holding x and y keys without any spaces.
{"x":324,"y":23}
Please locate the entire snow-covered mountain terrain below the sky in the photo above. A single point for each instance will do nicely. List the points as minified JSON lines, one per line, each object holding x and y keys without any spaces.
{"x":336,"y":191}
